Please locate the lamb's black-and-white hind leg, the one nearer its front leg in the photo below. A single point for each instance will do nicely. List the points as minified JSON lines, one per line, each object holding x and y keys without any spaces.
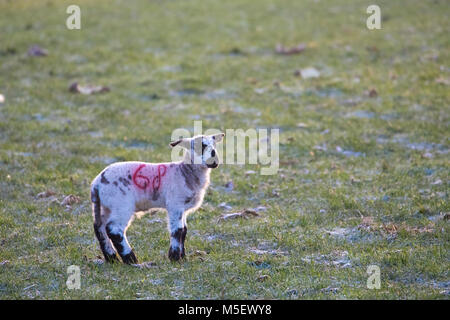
{"x":116,"y":229}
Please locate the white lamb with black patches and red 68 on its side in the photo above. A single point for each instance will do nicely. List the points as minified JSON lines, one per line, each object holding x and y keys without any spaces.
{"x":124,"y":188}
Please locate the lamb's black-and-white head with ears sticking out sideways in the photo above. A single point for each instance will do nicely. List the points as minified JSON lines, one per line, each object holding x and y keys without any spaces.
{"x":201,"y":149}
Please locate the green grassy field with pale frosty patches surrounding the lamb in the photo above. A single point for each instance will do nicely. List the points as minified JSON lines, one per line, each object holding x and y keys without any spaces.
{"x":363,"y":178}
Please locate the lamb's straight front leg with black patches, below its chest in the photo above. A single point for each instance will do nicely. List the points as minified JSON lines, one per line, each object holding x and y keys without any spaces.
{"x":177,"y":231}
